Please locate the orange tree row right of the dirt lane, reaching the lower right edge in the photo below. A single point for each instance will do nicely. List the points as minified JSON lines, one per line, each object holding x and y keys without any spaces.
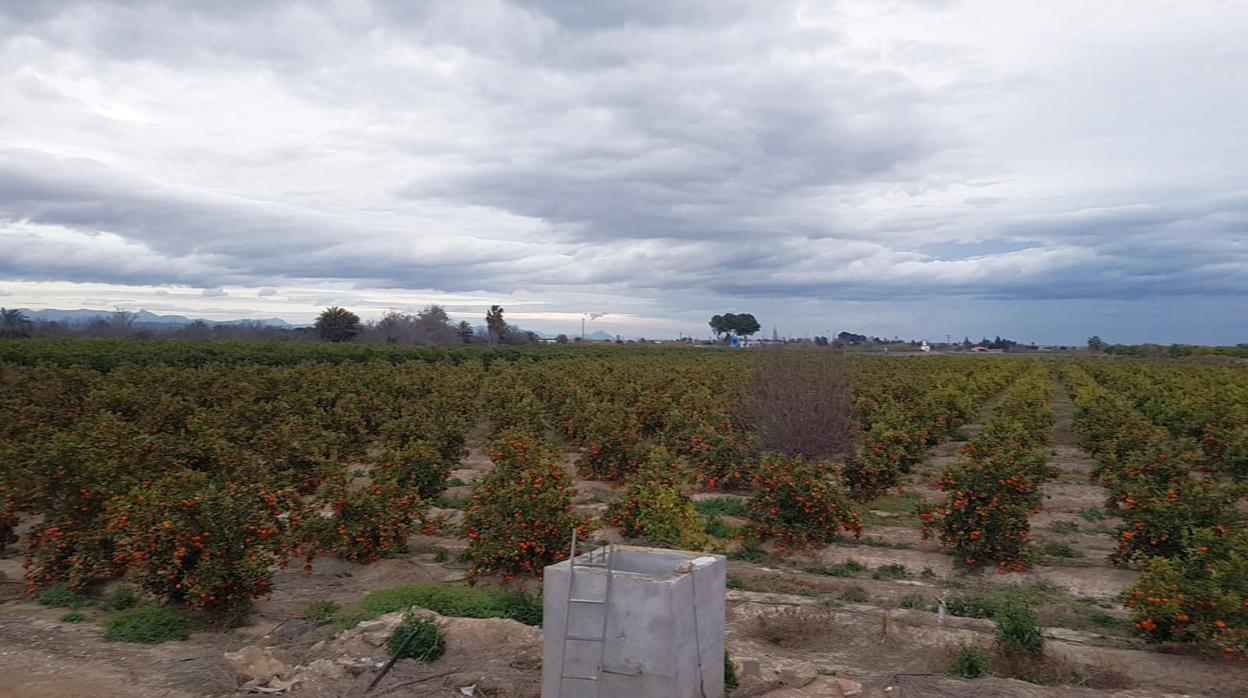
{"x":1181,"y":523}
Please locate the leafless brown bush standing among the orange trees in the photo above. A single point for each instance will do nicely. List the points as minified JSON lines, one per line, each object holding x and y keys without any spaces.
{"x":801,"y":401}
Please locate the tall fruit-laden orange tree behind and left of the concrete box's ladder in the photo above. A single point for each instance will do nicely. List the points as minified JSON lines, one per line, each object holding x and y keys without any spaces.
{"x":520,"y":518}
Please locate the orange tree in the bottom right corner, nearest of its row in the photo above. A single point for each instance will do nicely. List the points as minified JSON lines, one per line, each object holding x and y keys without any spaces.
{"x":1200,"y":596}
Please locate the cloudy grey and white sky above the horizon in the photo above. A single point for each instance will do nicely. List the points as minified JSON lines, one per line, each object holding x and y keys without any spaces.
{"x":1040,"y":170}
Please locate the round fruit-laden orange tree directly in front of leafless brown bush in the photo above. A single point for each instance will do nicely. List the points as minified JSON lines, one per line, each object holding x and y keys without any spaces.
{"x":798,"y":506}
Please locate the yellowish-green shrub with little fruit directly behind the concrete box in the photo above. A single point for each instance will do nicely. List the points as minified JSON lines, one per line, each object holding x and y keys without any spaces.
{"x":656,"y":508}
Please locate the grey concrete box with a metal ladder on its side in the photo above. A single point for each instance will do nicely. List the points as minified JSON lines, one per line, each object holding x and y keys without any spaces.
{"x":665,"y":627}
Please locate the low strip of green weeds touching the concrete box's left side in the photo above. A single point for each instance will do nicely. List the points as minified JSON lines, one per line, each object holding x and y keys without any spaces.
{"x":464,"y":602}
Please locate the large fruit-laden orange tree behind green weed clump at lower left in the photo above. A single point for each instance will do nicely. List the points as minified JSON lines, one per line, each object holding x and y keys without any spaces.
{"x":188,"y":538}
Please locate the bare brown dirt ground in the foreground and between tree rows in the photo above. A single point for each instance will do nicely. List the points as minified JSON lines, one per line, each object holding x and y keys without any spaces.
{"x":889,"y":635}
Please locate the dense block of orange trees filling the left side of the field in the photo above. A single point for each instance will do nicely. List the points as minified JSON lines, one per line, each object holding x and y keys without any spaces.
{"x":197,"y":483}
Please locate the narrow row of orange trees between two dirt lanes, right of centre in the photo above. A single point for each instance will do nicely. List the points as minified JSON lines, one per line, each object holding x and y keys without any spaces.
{"x":997,"y":484}
